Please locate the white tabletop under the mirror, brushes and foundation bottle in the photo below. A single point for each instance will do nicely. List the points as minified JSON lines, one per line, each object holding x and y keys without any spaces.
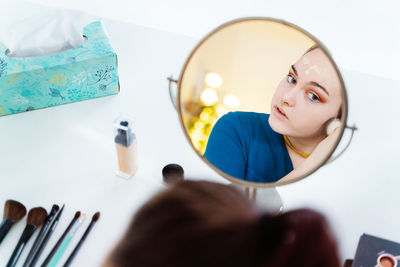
{"x":66,"y":154}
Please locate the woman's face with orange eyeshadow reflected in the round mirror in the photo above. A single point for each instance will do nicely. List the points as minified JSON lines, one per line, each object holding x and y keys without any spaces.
{"x":308,"y":97}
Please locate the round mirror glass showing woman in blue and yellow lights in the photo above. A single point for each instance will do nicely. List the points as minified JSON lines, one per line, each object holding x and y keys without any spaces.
{"x":262,"y":101}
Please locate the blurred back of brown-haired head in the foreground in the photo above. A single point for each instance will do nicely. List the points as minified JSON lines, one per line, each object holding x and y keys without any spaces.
{"x":208,"y":224}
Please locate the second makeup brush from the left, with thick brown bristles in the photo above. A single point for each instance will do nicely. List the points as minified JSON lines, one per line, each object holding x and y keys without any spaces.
{"x":36,"y":218}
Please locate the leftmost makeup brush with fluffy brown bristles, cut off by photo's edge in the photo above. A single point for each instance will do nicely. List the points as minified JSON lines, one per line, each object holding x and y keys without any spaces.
{"x":13,"y":212}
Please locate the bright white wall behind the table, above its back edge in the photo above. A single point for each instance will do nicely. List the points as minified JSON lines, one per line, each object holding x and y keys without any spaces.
{"x":363,"y":36}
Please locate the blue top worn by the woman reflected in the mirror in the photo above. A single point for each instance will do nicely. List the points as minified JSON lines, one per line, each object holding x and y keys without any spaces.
{"x":243,"y":145}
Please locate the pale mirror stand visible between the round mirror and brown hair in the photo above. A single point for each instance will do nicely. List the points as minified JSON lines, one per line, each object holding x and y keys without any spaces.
{"x":266,"y":199}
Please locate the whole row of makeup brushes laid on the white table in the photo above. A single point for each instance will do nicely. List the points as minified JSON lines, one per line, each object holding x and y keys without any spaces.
{"x":14,"y":211}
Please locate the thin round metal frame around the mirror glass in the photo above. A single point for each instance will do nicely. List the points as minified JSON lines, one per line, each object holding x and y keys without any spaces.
{"x":232,"y":178}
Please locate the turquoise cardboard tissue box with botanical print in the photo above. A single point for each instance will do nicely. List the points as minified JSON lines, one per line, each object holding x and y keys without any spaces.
{"x":81,"y":73}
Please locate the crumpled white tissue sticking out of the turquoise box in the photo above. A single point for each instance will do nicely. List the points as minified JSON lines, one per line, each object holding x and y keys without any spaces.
{"x":30,"y":30}
